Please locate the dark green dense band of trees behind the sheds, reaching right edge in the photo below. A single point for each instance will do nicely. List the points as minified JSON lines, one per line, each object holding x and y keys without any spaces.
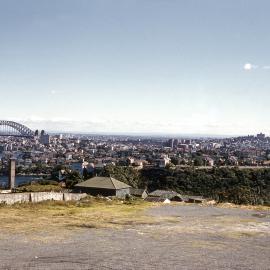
{"x":240,"y":186}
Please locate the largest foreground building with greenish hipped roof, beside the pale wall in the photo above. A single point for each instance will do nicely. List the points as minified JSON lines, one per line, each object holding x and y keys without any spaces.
{"x":105,"y":186}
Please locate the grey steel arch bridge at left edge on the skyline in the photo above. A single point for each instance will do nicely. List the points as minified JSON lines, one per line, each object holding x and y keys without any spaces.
{"x":10,"y":128}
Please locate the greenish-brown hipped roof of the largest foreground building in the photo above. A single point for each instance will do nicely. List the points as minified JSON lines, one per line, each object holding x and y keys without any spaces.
{"x":103,"y":182}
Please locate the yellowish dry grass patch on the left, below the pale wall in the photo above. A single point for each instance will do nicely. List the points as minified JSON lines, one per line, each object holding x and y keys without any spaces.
{"x":89,"y":213}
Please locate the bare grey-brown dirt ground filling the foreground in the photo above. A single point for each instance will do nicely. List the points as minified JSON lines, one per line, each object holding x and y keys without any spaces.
{"x":190,"y":237}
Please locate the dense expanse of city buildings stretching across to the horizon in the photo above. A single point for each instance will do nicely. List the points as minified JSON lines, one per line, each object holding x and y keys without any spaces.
{"x":79,"y":152}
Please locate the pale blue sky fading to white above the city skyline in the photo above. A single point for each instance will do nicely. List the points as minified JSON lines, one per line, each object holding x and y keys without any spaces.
{"x":136,"y":66}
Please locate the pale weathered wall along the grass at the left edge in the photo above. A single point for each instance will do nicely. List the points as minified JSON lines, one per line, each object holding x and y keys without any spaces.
{"x":12,"y":198}
